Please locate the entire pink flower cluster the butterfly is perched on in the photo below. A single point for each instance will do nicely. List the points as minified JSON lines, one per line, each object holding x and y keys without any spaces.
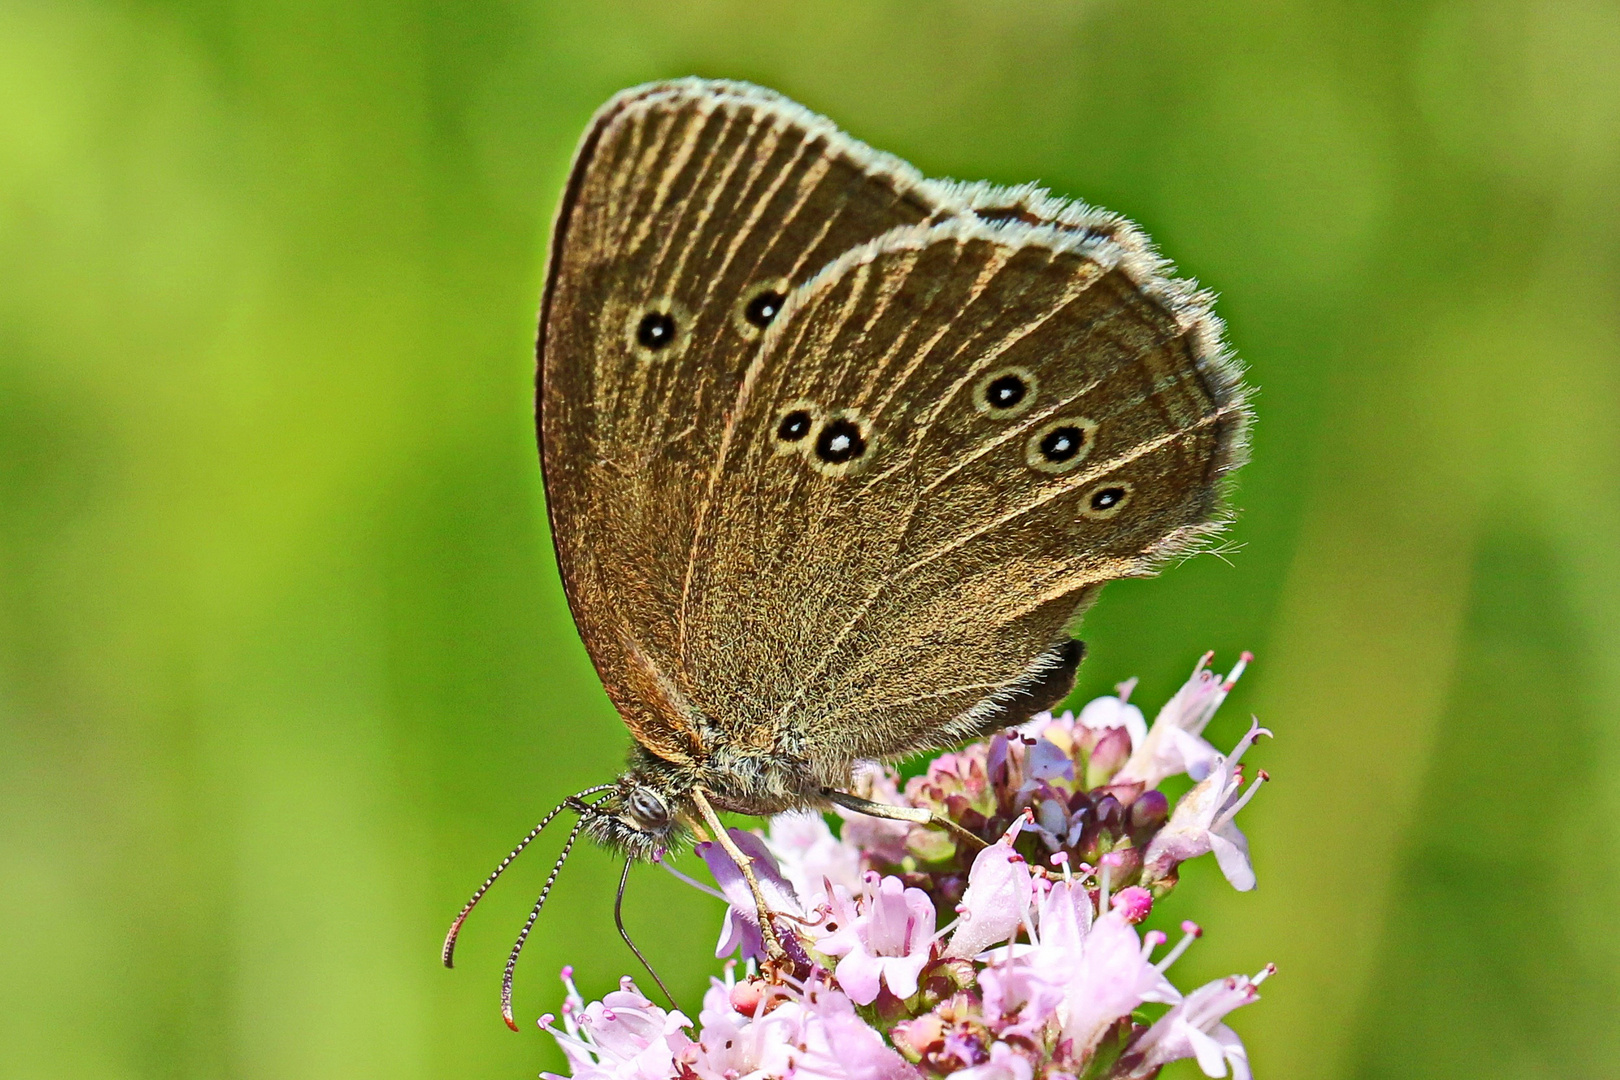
{"x":914,"y":958}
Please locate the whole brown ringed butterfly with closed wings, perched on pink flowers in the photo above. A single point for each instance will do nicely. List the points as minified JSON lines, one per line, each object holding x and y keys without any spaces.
{"x":837,"y":456}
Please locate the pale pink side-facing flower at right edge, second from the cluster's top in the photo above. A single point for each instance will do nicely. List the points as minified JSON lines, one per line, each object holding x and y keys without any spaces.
{"x":1203,"y":822}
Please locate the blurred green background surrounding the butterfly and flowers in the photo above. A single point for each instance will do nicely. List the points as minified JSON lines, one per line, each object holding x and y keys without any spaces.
{"x":284,"y":661}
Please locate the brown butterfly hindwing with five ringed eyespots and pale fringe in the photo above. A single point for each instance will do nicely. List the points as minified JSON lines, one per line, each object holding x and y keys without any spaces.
{"x":885,"y":603}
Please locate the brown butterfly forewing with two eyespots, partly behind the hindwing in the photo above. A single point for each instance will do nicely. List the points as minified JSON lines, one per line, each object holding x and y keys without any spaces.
{"x":686,"y":203}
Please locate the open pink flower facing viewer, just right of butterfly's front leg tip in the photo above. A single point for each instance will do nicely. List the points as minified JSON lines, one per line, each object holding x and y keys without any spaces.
{"x":885,"y":937}
